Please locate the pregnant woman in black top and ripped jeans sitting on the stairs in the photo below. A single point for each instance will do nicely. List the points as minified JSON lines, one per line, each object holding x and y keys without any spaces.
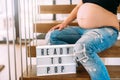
{"x":97,"y":31}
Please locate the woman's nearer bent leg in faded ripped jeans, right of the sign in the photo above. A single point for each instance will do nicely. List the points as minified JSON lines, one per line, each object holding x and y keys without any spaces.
{"x":87,"y":47}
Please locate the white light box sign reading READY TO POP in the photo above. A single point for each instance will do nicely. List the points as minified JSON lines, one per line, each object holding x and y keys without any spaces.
{"x":55,"y":59}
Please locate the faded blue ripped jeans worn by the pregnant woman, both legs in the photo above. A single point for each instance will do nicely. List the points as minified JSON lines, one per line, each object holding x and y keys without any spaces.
{"x":88,"y":42}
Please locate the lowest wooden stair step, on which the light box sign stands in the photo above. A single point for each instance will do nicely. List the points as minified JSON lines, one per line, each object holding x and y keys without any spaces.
{"x":81,"y":74}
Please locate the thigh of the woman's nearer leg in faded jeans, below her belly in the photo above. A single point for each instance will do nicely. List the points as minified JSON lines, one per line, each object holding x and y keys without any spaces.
{"x":98,"y":39}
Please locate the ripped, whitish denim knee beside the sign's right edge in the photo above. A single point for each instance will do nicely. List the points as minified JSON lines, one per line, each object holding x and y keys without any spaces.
{"x":83,"y":51}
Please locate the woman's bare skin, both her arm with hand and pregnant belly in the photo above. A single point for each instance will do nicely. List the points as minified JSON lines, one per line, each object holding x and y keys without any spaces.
{"x":90,"y":15}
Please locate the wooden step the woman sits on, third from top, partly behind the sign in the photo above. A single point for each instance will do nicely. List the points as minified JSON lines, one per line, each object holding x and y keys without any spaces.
{"x":111,"y":52}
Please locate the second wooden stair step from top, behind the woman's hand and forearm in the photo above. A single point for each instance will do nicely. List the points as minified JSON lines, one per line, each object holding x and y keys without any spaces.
{"x":44,"y":26}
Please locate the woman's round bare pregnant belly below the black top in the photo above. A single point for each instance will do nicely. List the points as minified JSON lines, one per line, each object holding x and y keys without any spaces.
{"x":92,"y":16}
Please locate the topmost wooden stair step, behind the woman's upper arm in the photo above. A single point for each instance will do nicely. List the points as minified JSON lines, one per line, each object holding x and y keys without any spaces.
{"x":58,"y":9}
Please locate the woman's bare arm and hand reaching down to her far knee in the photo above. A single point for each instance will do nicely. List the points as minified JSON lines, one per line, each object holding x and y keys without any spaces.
{"x":69,"y":19}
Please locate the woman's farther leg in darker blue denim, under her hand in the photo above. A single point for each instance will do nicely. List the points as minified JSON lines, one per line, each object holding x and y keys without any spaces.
{"x":66,"y":36}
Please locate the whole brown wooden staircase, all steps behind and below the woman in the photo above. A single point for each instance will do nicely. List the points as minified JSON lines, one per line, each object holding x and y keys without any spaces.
{"x":43,"y":26}
